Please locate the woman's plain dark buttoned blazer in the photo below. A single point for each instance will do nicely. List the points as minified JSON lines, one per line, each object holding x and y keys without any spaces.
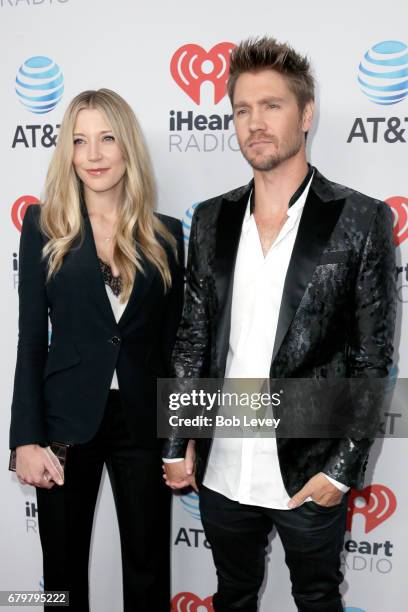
{"x":60,"y":392}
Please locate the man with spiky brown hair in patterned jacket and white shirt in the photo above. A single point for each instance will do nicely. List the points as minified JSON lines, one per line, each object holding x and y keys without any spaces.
{"x":291,"y":276}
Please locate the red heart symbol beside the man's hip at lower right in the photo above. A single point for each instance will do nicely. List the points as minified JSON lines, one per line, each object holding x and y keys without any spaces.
{"x":380,"y":504}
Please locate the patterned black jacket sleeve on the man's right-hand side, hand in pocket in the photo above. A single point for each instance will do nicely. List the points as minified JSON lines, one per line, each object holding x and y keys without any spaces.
{"x":371,"y":343}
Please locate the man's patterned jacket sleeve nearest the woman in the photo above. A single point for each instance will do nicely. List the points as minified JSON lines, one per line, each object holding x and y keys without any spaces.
{"x":190,"y":350}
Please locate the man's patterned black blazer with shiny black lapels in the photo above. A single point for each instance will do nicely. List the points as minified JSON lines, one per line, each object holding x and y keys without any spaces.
{"x":336,"y":317}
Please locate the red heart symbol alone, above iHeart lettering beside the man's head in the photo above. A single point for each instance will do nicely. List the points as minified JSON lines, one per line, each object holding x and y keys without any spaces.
{"x":191,"y":65}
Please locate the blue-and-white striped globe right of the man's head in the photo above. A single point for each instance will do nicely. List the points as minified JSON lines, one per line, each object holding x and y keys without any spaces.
{"x":383,"y":72}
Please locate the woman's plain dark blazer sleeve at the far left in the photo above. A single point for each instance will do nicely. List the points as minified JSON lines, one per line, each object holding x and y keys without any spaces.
{"x":27,"y":411}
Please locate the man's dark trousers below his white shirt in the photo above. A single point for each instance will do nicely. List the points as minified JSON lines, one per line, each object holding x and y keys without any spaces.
{"x":312,"y":538}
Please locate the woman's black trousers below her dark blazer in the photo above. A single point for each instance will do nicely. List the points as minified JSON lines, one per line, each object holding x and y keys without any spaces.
{"x":142,"y":502}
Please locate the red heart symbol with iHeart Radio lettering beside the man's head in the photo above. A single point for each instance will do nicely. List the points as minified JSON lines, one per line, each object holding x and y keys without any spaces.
{"x":191,"y":66}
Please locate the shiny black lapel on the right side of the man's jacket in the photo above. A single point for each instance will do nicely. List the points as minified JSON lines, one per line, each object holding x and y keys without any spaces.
{"x":320,"y":214}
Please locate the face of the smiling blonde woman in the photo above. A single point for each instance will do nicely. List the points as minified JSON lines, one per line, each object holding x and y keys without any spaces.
{"x":98,"y":160}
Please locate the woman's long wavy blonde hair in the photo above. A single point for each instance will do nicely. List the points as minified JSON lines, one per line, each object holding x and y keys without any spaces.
{"x":61,"y":216}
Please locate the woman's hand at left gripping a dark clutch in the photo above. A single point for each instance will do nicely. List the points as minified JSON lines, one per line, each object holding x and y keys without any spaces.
{"x":38,"y":466}
